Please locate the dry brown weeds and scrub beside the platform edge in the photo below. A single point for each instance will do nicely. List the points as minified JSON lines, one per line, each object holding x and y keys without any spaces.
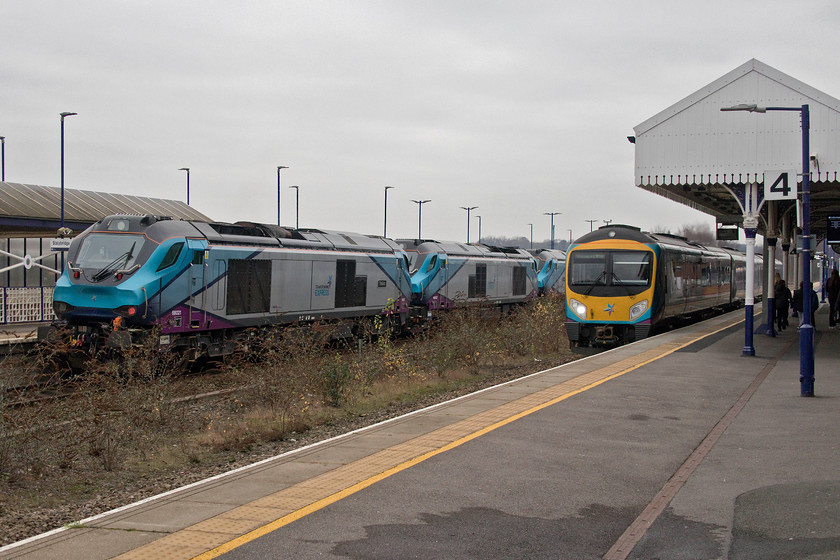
{"x":138,"y":426}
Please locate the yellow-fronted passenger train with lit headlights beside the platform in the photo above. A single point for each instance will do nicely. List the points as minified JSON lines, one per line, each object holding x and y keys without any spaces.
{"x":622,"y":283}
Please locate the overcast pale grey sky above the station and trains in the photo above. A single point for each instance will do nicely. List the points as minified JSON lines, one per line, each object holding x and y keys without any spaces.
{"x":519,"y":108}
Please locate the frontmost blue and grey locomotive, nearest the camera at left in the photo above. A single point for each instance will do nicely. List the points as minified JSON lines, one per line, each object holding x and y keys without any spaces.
{"x":201,"y":283}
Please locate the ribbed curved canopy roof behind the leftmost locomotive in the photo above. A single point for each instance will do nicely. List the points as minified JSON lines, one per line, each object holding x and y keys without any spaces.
{"x":35,"y":210}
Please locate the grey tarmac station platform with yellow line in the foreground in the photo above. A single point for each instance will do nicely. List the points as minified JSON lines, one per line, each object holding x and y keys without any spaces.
{"x":674,"y":447}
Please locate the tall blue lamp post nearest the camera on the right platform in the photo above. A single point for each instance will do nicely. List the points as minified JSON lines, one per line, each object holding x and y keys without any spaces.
{"x":806,"y":329}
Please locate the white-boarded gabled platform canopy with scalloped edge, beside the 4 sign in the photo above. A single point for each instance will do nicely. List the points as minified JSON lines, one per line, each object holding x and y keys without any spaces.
{"x":690,"y":151}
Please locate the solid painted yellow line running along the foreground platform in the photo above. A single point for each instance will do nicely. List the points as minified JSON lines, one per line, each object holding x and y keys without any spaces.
{"x":324,"y":502}
